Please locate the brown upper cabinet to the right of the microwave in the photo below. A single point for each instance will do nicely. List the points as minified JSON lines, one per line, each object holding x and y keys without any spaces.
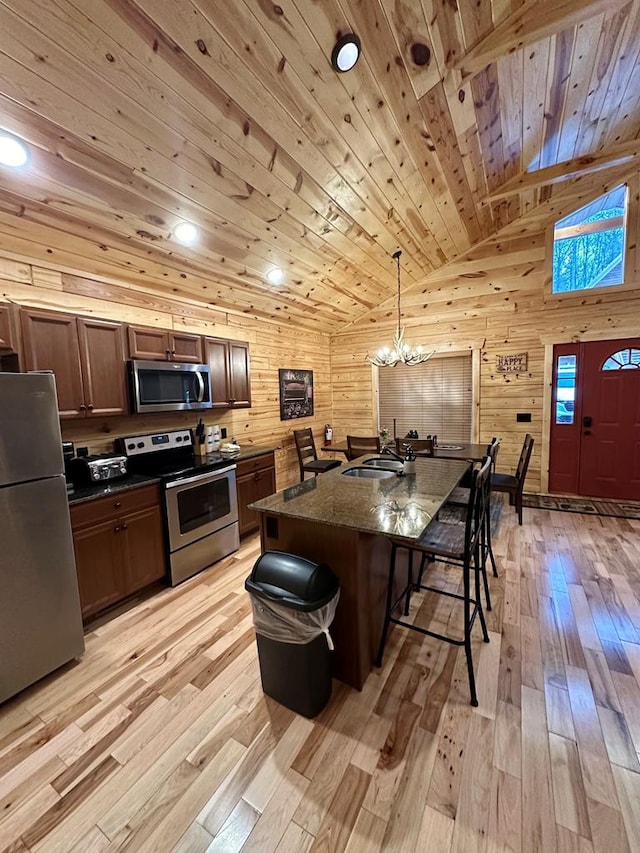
{"x":230,"y":373}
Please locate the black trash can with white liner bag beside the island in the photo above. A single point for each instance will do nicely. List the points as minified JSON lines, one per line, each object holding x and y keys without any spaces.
{"x":294,"y":602}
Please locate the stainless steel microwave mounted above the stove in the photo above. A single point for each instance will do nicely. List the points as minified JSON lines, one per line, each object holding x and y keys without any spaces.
{"x":169,"y":386}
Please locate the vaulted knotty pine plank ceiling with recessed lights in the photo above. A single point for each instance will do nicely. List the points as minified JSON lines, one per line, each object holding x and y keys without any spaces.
{"x":448,"y":133}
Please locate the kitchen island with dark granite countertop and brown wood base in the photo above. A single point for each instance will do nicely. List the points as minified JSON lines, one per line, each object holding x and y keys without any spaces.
{"x":346,"y":521}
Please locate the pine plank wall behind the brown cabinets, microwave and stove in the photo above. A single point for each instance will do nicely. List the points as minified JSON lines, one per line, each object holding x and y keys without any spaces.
{"x":271,"y":347}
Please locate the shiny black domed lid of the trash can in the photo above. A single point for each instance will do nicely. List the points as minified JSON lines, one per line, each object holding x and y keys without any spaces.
{"x":292,"y":581}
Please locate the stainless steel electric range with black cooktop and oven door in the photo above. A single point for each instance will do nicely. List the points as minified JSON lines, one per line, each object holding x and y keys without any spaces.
{"x":200,"y":501}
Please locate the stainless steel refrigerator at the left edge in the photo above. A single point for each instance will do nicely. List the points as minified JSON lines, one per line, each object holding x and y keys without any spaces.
{"x":40,"y":620}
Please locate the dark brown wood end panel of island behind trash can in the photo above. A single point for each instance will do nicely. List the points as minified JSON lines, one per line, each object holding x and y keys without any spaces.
{"x":361,"y":562}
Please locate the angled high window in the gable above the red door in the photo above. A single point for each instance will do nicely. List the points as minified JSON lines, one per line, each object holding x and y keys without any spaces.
{"x":588,"y":245}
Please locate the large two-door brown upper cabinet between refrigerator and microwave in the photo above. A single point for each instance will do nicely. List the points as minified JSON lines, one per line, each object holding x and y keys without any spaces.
{"x":87,"y":357}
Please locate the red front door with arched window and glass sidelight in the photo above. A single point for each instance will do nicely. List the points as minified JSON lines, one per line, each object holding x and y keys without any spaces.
{"x":595,"y":429}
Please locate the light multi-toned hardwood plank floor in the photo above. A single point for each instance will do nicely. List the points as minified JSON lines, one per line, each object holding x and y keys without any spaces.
{"x":161,"y":739}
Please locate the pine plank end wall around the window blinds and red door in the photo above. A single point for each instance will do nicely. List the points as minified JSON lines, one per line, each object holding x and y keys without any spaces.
{"x":498,"y":301}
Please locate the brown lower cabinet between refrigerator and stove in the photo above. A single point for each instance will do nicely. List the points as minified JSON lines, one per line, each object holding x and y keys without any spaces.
{"x":119,"y":546}
